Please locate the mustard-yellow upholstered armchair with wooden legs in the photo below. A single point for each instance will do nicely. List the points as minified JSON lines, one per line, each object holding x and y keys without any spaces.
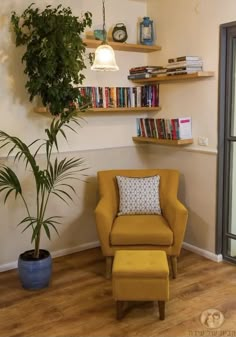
{"x":162,"y":232}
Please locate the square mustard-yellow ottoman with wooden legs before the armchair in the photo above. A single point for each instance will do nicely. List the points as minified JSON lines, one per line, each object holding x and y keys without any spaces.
{"x":140,"y":275}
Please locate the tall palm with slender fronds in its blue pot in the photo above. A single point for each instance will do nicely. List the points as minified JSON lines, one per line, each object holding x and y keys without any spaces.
{"x":54,"y":179}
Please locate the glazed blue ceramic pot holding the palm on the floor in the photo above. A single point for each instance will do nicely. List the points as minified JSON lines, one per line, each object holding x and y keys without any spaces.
{"x":35,"y":273}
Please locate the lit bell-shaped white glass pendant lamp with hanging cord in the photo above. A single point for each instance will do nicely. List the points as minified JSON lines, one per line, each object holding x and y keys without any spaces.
{"x":104,"y":54}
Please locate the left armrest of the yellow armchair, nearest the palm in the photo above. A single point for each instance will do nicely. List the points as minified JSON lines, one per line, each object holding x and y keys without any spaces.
{"x":105,"y":214}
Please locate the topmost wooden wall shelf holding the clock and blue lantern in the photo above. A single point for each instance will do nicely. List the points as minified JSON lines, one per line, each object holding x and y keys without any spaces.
{"x":90,"y":43}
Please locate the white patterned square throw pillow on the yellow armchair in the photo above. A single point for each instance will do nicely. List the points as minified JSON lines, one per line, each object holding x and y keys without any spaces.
{"x":139,"y":195}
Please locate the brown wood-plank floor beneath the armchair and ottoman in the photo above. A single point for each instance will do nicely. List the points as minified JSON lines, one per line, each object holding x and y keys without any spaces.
{"x":79,"y":301}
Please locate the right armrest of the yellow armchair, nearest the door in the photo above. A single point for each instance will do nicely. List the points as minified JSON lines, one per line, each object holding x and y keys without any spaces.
{"x":176,"y":215}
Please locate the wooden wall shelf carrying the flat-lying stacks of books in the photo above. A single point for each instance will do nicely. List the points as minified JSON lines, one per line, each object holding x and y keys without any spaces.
{"x":172,"y":78}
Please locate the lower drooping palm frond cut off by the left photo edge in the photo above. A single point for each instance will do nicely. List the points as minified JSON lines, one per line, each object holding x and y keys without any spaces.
{"x":9,"y":182}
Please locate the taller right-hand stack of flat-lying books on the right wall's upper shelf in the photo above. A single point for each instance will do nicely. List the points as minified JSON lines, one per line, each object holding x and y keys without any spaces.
{"x":184,"y":65}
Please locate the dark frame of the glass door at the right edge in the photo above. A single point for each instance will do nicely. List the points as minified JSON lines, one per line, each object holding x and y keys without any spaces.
{"x":224,"y":107}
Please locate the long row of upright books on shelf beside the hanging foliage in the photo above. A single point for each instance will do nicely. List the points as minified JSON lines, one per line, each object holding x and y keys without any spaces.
{"x":120,"y":97}
